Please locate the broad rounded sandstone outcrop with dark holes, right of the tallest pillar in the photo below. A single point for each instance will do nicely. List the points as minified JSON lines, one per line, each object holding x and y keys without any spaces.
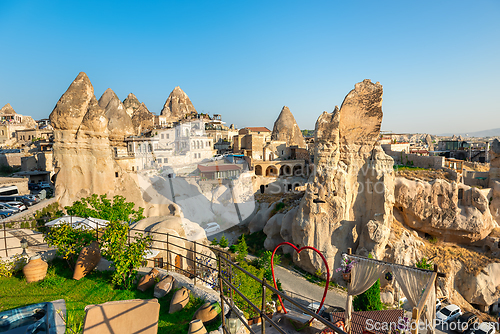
{"x":434,"y":208}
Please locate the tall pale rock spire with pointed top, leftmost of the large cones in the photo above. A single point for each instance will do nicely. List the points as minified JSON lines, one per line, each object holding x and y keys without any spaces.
{"x":83,"y":160}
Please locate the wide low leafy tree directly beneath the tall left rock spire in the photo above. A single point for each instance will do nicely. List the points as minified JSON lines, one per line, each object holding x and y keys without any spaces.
{"x":101,"y":207}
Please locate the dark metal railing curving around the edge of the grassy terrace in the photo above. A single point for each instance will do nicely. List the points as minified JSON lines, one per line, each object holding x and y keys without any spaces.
{"x":202,"y":263}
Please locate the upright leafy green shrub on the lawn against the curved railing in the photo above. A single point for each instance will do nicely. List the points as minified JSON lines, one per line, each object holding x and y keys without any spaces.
{"x":126,"y":256}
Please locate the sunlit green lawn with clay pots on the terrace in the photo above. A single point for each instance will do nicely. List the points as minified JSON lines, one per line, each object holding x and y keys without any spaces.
{"x":95,"y":288}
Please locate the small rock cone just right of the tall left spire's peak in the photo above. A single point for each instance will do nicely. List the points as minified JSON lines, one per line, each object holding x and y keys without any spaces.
{"x":119,"y":122}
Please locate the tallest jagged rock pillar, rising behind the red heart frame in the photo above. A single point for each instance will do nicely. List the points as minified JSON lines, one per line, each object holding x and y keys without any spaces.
{"x":349,"y":198}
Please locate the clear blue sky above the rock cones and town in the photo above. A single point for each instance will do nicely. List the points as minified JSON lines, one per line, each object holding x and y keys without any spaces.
{"x":439,"y":61}
